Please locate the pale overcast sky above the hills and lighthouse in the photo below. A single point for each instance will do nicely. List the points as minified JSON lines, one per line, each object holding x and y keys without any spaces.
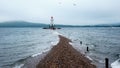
{"x":77,"y":12}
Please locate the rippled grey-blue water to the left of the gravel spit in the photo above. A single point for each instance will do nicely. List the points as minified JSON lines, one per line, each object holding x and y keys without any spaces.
{"x":16,"y":44}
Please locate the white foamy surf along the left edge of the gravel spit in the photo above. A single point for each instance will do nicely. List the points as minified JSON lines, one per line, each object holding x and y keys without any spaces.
{"x":35,"y":58}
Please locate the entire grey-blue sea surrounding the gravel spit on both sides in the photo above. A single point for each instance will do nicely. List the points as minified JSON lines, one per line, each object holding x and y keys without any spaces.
{"x":19,"y":44}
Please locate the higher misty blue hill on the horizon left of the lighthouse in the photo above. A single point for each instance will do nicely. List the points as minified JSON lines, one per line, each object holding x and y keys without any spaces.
{"x":21,"y":24}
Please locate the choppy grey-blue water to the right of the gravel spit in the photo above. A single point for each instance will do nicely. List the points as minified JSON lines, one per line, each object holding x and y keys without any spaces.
{"x":104,"y":42}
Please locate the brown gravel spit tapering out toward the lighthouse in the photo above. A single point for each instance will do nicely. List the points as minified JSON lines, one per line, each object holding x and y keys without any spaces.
{"x":63,"y":55}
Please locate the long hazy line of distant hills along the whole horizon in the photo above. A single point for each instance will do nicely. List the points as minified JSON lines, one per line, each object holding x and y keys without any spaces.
{"x":30,"y":24}
